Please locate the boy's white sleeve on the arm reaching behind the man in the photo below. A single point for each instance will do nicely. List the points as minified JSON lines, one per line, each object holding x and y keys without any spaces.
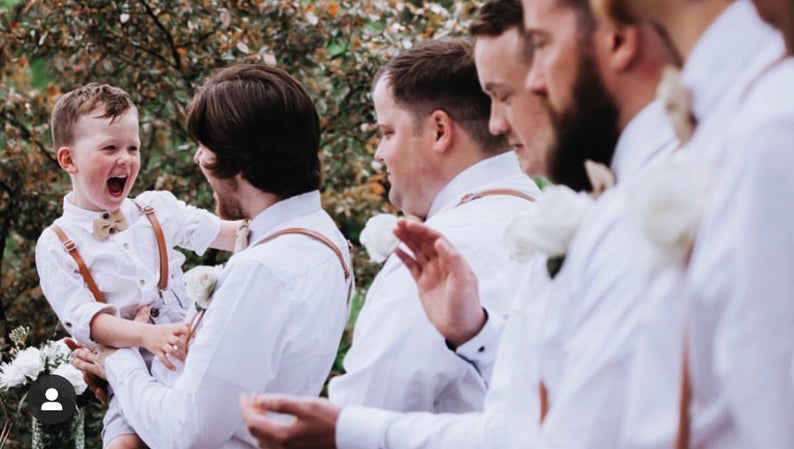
{"x":186,"y":226}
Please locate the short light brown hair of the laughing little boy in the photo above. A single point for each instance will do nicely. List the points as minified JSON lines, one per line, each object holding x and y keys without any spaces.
{"x":71,"y":106}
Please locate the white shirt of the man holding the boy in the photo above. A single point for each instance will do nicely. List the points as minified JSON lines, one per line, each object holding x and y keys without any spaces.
{"x":274,"y":324}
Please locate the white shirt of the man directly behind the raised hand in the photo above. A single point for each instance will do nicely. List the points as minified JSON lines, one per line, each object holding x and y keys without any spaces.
{"x":398,"y":361}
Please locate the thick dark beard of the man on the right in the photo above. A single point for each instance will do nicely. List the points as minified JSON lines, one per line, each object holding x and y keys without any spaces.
{"x":588,"y":129}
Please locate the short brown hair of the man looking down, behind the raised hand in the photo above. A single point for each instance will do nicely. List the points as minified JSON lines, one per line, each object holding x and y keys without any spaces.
{"x":440,"y":75}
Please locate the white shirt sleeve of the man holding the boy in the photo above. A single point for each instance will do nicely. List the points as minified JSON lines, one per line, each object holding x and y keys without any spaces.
{"x":236,"y":351}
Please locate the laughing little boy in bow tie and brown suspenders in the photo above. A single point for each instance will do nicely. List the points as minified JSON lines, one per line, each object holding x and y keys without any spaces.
{"x":108,"y":255}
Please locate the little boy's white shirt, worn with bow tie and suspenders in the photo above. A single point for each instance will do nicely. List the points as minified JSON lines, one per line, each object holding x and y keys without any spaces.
{"x":125,"y":266}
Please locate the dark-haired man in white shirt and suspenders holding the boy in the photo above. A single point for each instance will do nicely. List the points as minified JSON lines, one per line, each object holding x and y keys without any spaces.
{"x":279,"y":306}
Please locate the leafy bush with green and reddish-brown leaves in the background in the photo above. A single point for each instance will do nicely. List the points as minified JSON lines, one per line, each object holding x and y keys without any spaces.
{"x":160,"y":51}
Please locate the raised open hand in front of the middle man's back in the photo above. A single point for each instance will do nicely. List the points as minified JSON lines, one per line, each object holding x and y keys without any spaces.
{"x":447,"y":286}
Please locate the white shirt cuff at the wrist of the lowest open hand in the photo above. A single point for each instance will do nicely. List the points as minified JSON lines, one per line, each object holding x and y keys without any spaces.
{"x":362,"y":427}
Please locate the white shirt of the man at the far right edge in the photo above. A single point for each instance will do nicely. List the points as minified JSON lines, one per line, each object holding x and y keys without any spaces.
{"x":739,"y":281}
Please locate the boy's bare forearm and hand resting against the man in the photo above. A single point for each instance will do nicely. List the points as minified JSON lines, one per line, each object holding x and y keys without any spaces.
{"x":162,"y":340}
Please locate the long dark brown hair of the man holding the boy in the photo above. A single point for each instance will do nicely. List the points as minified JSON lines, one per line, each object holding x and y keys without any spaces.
{"x":260,"y":122}
